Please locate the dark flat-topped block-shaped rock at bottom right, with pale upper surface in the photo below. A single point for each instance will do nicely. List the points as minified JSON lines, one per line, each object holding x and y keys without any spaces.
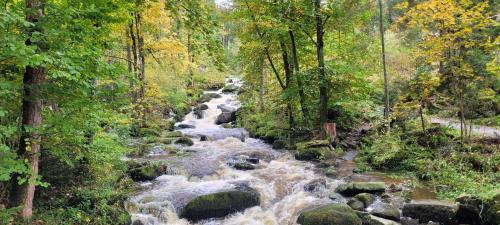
{"x":427,"y":210}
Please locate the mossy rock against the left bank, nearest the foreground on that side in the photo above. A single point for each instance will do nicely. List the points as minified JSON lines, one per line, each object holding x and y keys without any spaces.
{"x":145,"y":171}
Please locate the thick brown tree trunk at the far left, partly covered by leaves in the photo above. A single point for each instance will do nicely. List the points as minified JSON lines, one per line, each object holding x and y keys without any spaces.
{"x":29,"y":147}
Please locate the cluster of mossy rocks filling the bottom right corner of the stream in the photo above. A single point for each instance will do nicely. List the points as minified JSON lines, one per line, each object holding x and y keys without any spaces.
{"x":369,"y":204}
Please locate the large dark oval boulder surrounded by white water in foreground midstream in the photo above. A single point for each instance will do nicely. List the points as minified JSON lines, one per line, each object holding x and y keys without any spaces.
{"x":219,"y":204}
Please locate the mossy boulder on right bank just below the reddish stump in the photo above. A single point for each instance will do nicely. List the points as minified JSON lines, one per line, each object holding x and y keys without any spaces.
{"x":312,"y":150}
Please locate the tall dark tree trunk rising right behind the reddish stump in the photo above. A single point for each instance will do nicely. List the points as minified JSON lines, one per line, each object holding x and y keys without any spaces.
{"x":323,"y":89}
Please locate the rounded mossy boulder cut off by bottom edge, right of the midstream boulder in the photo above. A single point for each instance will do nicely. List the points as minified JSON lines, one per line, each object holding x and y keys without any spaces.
{"x":332,"y":214}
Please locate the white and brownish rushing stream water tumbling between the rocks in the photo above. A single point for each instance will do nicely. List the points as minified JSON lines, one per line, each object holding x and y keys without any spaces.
{"x":279,"y":178}
